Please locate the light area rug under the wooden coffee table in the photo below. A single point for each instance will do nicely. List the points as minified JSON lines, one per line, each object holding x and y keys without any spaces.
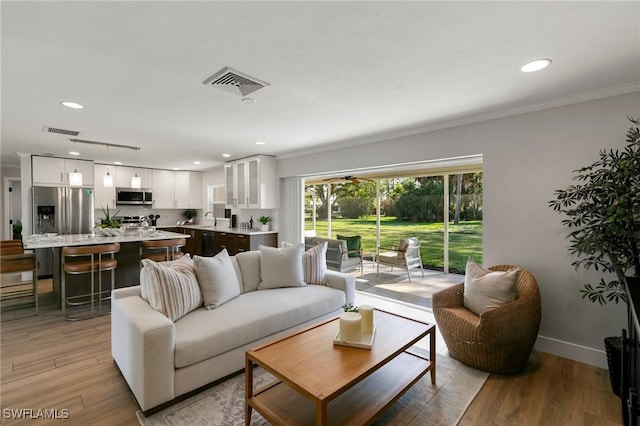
{"x":439,"y":404}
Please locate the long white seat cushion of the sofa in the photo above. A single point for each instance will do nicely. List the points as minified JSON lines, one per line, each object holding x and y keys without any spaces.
{"x":251,"y":316}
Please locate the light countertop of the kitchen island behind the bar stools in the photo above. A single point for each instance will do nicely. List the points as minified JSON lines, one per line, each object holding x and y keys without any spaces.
{"x":41,"y":241}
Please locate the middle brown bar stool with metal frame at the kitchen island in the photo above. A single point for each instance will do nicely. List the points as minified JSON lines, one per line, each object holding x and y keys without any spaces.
{"x":88,"y":260}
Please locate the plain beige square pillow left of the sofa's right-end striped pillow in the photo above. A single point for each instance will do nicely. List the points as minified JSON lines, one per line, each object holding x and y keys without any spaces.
{"x":281,"y":267}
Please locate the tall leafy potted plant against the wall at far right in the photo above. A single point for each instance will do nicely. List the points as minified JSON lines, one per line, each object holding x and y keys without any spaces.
{"x":603,"y":218}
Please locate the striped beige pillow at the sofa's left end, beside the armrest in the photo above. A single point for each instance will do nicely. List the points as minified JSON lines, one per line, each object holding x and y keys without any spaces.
{"x":172,"y":289}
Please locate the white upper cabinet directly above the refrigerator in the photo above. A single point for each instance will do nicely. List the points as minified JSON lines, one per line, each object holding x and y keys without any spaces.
{"x":55,"y":171}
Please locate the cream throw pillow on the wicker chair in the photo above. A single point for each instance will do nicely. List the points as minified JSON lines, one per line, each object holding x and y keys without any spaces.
{"x":485,"y":289}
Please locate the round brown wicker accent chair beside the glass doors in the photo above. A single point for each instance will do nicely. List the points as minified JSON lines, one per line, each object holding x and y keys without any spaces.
{"x":498,"y":340}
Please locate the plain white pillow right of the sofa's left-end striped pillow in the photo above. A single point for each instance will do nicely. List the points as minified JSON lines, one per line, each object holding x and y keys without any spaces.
{"x":217,"y":278}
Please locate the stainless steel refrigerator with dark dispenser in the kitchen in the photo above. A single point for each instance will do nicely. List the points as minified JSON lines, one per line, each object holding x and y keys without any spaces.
{"x":61,"y":210}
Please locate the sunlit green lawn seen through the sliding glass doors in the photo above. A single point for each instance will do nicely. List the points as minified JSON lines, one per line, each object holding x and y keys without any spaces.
{"x":465,"y":239}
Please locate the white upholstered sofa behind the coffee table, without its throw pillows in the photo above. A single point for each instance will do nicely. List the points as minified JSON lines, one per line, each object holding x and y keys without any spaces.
{"x":162,"y":360}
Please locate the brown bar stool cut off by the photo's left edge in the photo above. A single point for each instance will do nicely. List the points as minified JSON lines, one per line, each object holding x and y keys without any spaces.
{"x":14,"y":260}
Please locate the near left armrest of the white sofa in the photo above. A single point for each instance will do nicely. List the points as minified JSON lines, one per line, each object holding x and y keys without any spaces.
{"x":143,"y":345}
